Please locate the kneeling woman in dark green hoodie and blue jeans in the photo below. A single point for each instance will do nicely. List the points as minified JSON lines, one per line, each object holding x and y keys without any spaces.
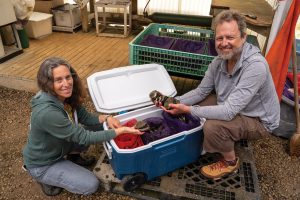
{"x":56,"y":136}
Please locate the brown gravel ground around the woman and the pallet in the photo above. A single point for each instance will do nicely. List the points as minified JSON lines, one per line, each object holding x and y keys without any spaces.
{"x":278,"y":173}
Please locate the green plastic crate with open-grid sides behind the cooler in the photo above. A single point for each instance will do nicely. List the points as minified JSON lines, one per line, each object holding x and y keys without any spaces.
{"x":176,"y":62}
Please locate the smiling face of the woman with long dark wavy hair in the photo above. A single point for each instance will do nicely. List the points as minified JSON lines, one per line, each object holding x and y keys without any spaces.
{"x":62,"y":82}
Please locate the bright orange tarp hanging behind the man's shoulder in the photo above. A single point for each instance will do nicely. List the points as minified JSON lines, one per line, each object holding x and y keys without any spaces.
{"x":279,"y":54}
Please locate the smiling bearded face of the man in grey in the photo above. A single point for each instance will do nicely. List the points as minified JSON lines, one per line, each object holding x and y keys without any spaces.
{"x":228,"y":40}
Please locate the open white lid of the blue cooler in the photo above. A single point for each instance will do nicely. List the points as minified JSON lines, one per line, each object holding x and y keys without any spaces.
{"x":128,"y":88}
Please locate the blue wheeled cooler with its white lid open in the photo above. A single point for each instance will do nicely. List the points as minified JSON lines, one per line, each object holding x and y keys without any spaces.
{"x":127,"y":89}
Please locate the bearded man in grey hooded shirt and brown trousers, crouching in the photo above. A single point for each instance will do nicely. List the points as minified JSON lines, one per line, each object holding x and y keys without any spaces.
{"x":245,"y":106}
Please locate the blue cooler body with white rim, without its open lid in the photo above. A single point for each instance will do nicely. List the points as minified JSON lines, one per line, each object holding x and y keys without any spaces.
{"x":158,"y":157}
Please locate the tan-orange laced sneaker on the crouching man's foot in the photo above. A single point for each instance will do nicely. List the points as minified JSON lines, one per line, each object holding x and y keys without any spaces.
{"x":219,"y":169}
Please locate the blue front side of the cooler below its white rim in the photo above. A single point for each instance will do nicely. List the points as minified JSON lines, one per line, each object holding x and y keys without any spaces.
{"x":160,"y":158}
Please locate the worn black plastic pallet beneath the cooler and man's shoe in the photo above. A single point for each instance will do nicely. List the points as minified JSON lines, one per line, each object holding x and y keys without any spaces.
{"x":187,"y":183}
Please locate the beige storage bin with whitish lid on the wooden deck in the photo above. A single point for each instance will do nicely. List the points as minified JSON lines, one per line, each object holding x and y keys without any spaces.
{"x":39,"y":25}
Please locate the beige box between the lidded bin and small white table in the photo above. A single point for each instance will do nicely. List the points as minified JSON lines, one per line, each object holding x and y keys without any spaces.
{"x":67,"y":15}
